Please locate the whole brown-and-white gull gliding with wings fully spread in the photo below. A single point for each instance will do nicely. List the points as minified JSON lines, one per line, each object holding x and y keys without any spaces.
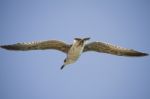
{"x":74,"y":50}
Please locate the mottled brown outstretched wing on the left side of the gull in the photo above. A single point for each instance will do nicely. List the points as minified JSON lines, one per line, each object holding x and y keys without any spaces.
{"x":51,"y":44}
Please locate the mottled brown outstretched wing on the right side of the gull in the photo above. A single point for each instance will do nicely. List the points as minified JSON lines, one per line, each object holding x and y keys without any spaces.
{"x":112,"y":49}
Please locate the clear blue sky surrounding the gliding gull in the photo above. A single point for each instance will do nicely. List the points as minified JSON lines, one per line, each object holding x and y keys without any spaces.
{"x":37,"y":74}
